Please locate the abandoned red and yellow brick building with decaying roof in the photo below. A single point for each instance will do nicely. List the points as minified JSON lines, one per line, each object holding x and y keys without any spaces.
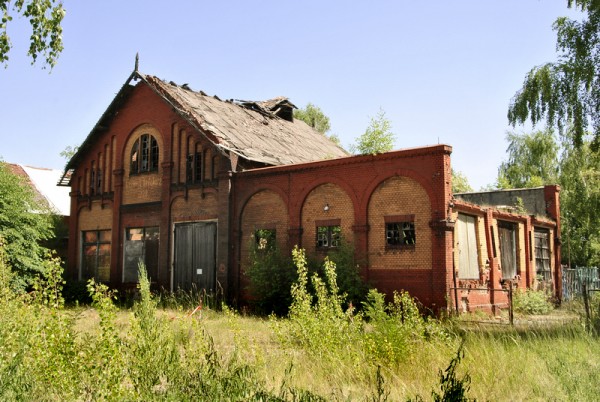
{"x":183,"y":181}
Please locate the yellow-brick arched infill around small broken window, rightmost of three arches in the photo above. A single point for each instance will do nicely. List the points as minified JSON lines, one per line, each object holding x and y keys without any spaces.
{"x":399,"y":199}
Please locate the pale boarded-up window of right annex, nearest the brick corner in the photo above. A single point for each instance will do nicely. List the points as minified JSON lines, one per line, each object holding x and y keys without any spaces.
{"x":466,"y":244}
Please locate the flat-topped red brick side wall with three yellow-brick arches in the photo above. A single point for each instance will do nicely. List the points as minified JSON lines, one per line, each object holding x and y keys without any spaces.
{"x":419,"y":178}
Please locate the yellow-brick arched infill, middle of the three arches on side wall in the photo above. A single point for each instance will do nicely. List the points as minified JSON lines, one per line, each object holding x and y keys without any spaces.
{"x":341,"y":208}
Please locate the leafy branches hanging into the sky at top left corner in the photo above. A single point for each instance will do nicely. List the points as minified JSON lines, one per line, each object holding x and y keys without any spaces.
{"x":45,"y":18}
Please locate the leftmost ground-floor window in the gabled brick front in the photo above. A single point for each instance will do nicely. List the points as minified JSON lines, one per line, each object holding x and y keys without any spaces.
{"x":95,"y":259}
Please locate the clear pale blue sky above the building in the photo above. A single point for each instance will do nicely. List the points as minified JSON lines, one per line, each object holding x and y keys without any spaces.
{"x":443,"y":71}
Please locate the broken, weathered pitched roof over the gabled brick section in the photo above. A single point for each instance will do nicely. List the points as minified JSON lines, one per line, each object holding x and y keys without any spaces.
{"x":252,"y":130}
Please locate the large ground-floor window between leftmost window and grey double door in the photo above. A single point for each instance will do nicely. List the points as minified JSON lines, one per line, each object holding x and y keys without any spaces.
{"x":141,"y":245}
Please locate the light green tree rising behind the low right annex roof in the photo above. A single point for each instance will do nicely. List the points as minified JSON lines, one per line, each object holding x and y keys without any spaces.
{"x":532,"y":160}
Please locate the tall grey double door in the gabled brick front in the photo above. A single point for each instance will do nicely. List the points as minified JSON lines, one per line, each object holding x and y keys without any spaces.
{"x":194,"y":267}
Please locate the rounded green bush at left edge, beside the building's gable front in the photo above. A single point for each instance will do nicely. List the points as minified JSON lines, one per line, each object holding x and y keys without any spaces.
{"x":22,"y":226}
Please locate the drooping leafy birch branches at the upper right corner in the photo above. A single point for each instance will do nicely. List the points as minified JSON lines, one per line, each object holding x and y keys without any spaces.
{"x":566,"y":92}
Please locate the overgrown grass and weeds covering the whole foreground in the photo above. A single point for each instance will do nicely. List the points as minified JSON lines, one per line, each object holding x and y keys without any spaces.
{"x":320,"y":352}
